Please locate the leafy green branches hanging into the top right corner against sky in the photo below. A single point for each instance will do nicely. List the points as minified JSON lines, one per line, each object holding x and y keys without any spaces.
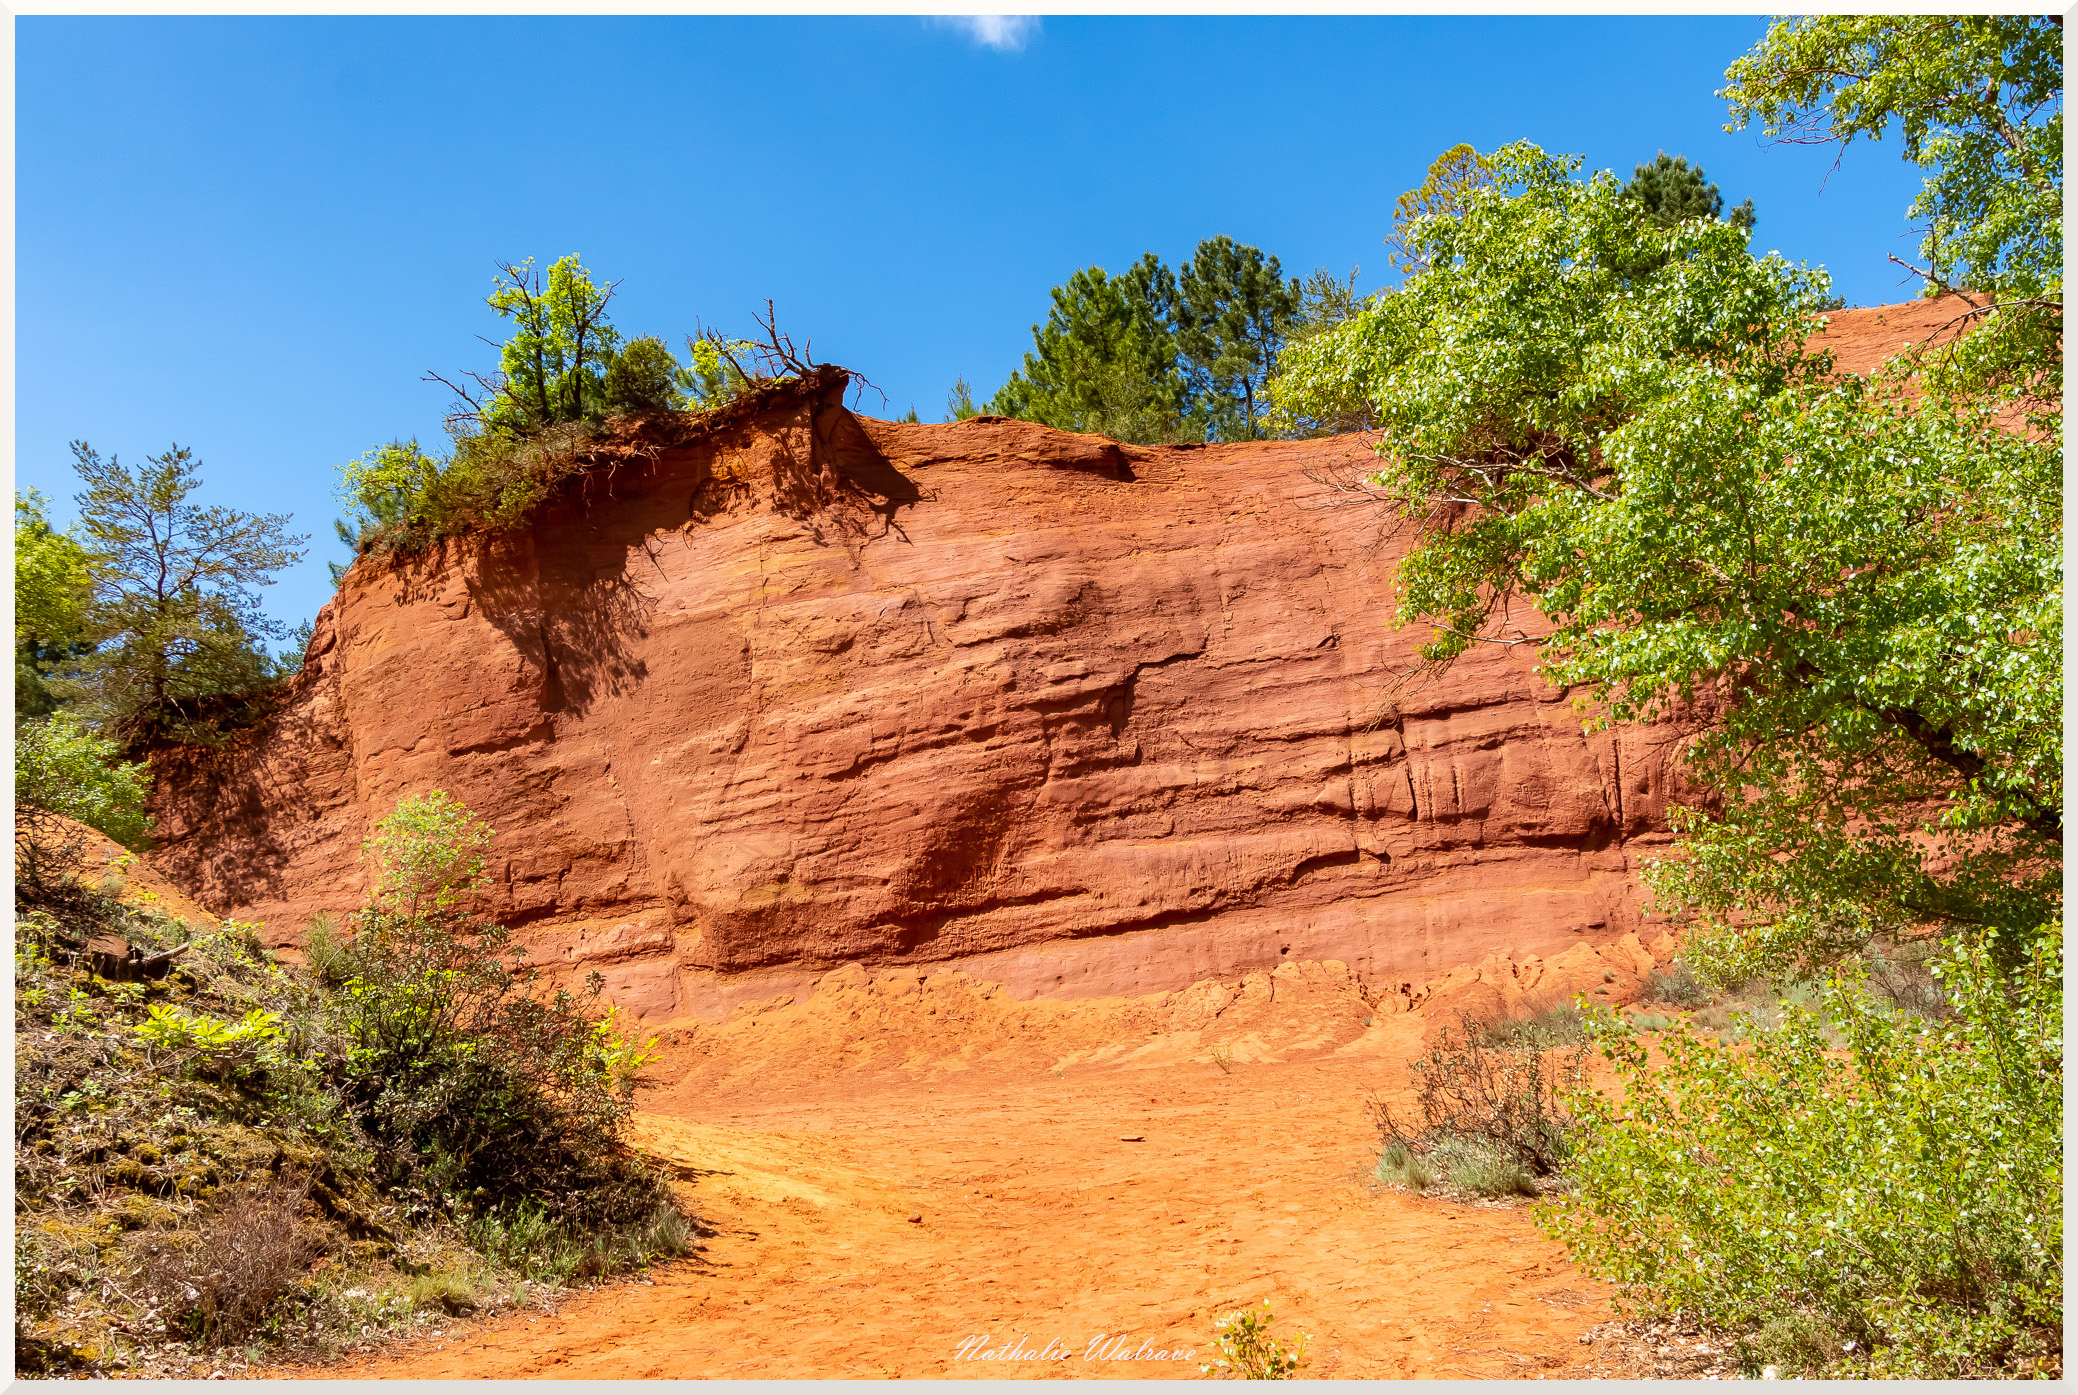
{"x":1979,"y":105}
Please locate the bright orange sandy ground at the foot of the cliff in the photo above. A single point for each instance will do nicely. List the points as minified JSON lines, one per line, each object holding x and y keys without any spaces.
{"x":893,"y":1172}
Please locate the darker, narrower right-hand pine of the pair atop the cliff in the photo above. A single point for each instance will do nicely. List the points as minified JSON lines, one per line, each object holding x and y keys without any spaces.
{"x":1231,"y":315}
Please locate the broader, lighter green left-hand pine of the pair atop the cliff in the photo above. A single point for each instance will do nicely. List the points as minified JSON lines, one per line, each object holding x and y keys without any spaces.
{"x":1104,"y":361}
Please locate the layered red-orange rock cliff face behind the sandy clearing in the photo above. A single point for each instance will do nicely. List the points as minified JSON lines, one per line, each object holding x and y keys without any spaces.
{"x":824,"y":689}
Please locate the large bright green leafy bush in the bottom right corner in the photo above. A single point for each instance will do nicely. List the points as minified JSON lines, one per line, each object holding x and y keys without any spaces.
{"x":1904,"y":1194}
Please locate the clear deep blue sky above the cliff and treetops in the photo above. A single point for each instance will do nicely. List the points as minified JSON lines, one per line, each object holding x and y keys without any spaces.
{"x":255,"y":236}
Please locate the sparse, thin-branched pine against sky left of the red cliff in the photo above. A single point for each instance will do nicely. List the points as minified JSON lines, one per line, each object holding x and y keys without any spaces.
{"x":171,"y":606}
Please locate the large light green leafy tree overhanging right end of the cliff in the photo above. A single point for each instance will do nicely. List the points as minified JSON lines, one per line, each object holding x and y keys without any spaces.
{"x":1620,"y":423}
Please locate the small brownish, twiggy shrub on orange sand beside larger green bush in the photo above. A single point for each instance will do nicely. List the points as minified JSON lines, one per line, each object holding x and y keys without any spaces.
{"x":1491,"y":1105}
